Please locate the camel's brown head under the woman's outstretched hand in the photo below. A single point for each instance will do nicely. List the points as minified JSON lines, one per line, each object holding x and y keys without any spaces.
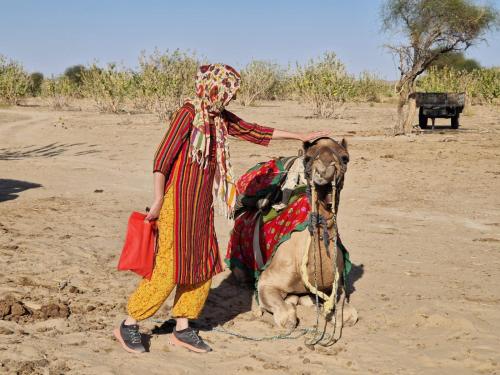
{"x":326,"y":160}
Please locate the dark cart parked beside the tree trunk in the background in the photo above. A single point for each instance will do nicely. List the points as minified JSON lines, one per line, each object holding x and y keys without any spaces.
{"x":439,"y":105}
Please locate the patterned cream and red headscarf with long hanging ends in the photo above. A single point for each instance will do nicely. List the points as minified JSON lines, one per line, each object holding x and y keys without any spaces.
{"x":216,"y":85}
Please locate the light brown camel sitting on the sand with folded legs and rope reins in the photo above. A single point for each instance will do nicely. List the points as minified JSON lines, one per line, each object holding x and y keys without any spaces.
{"x":280,"y":286}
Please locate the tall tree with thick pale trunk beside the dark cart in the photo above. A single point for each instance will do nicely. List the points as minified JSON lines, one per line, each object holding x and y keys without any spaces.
{"x":431,"y":28}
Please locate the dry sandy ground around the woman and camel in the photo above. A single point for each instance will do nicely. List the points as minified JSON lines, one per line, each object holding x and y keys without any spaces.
{"x":419,"y":214}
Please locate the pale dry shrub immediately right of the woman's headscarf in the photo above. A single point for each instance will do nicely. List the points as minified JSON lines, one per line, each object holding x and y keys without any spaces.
{"x":260,"y":80}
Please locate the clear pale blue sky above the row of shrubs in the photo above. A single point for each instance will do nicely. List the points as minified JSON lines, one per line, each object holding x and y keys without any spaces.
{"x":50,"y":35}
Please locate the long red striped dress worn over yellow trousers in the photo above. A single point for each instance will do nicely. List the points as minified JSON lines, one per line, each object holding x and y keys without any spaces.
{"x":197,"y":256}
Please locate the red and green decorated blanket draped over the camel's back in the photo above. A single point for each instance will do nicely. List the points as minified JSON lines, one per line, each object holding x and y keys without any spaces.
{"x":257,"y":235}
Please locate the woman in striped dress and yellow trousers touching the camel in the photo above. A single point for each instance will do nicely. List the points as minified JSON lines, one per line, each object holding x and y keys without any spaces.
{"x":191,"y":168}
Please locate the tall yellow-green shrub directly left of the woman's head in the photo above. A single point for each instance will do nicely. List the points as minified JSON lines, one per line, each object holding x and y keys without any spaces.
{"x":164,"y":81}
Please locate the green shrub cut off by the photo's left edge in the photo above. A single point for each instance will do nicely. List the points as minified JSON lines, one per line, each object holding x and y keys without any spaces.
{"x":15,"y":83}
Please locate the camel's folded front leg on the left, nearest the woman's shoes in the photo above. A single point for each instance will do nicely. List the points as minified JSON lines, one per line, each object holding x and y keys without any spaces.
{"x":273,"y":300}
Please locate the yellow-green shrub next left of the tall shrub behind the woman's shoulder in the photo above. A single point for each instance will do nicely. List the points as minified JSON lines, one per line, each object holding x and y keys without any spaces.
{"x":108,"y":87}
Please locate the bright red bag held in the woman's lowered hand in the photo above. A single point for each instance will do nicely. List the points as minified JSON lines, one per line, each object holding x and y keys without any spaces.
{"x":138,"y":253}
